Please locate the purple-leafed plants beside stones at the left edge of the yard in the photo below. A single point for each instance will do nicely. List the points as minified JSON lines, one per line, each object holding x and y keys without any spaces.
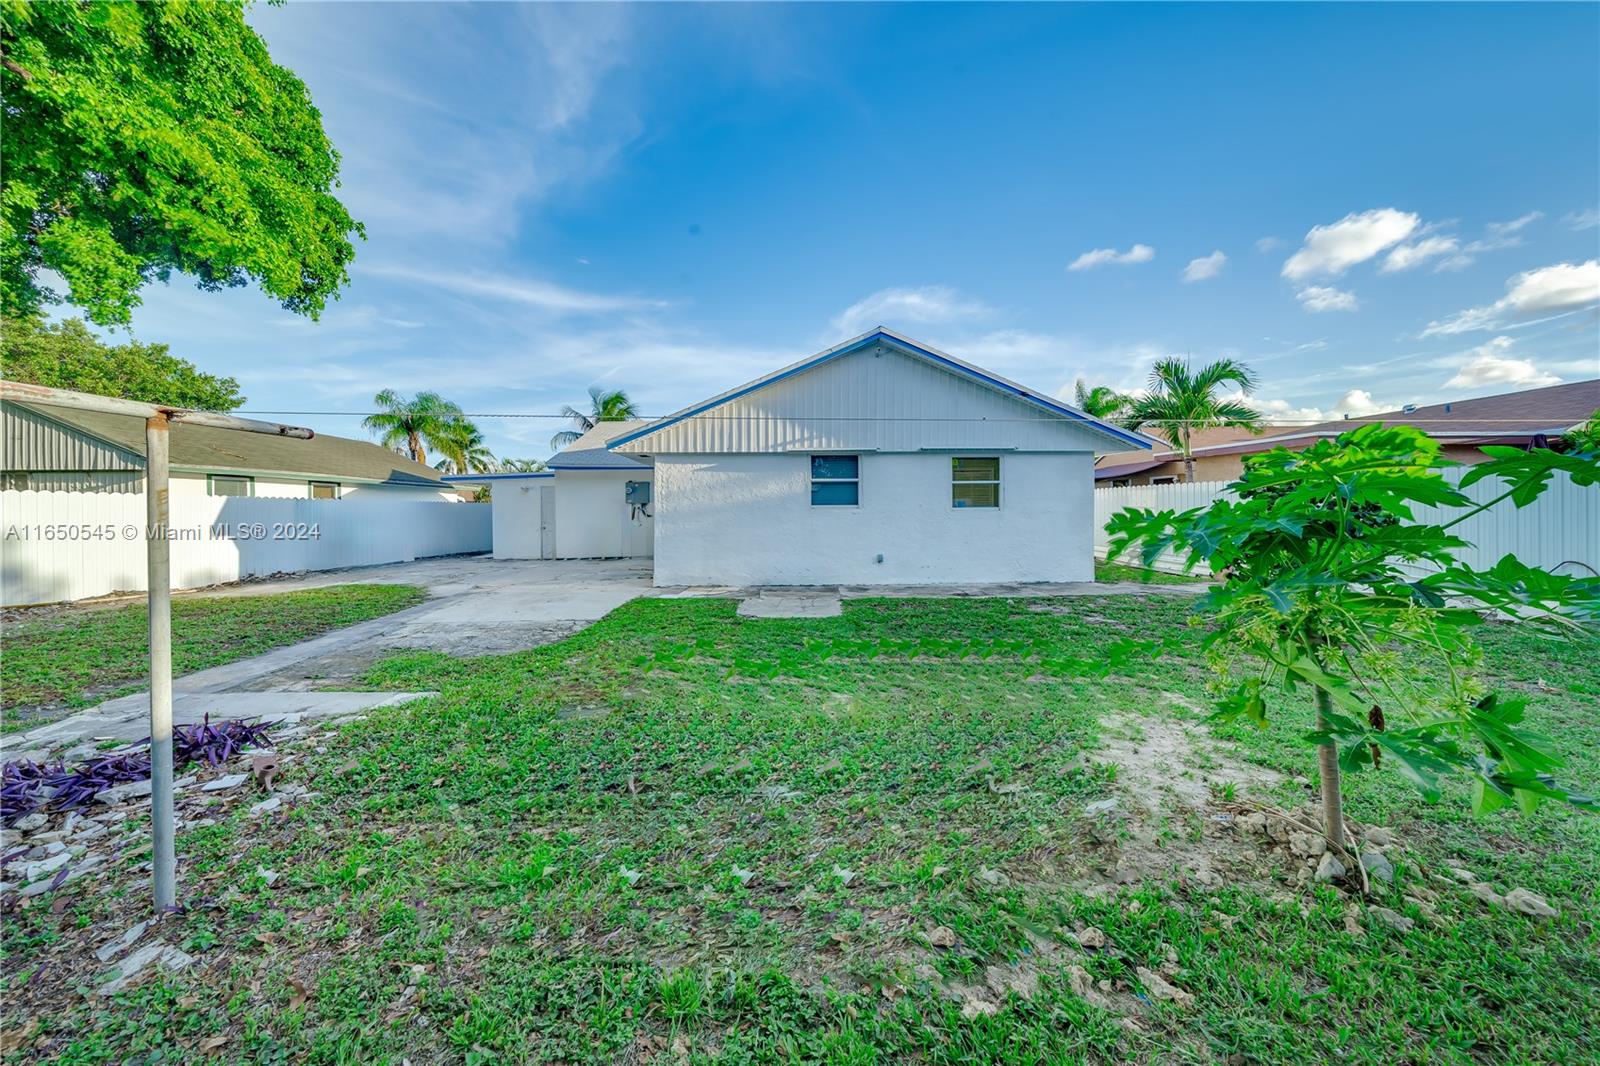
{"x":30,"y":785}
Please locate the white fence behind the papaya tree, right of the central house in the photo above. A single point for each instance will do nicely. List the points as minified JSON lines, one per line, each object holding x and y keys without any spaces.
{"x":1559,"y":532}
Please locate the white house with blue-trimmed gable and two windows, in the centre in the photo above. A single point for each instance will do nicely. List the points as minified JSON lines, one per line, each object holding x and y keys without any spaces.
{"x":876,"y":462}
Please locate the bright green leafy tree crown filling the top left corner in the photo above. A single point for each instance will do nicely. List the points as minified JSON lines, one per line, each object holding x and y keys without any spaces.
{"x":153,"y":138}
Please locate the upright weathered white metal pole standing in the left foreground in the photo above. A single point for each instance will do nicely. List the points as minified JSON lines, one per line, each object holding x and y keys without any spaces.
{"x":158,"y":513}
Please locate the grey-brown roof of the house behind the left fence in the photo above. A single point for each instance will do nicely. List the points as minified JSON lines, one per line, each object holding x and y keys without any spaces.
{"x":204,"y":449}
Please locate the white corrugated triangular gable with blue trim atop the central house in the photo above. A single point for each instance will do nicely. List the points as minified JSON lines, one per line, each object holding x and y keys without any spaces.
{"x":884,"y":393}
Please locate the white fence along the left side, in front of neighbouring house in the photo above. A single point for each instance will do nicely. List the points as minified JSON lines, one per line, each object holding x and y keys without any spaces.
{"x":74,"y":545}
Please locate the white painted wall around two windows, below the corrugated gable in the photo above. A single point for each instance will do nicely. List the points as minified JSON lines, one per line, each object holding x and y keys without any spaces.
{"x":748,"y":519}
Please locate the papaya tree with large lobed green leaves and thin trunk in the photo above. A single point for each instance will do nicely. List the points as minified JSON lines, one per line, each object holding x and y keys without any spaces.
{"x":1332,"y":583}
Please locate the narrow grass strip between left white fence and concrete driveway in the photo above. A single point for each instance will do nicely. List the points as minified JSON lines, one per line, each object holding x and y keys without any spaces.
{"x":81,"y":657}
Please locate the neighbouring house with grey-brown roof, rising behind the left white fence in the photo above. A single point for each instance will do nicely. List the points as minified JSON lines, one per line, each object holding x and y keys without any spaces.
{"x":54,"y":449}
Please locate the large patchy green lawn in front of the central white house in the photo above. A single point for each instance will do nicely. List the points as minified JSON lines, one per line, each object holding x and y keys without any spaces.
{"x":682,"y":836}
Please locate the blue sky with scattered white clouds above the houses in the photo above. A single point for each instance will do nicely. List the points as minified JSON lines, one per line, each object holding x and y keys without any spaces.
{"x":1372,"y":206}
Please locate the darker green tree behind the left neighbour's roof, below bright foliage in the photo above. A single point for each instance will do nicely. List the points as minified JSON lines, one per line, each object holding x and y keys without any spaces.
{"x":70,"y":356}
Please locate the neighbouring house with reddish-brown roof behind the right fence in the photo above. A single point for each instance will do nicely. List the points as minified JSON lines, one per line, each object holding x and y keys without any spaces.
{"x":1463,"y":427}
